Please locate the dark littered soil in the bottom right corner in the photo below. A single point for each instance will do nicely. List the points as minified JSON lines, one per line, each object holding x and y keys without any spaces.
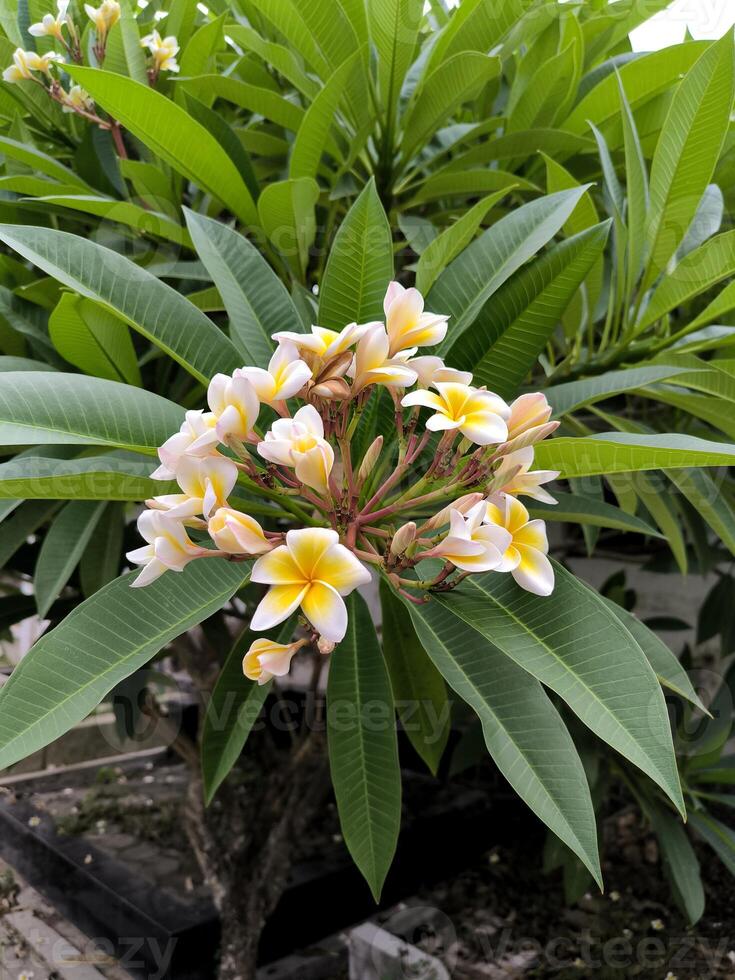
{"x":504,"y":918}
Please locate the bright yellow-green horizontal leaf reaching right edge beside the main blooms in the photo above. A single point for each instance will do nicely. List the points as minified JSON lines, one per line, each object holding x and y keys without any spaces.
{"x":623,"y":452}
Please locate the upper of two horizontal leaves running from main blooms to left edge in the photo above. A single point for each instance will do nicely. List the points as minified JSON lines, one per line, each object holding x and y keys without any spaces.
{"x":39,"y":407}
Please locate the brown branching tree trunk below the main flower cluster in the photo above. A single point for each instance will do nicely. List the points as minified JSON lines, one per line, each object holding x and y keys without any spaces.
{"x":244,"y":840}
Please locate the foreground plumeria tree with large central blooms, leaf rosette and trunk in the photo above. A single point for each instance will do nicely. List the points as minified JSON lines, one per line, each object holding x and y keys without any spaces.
{"x":350,"y":453}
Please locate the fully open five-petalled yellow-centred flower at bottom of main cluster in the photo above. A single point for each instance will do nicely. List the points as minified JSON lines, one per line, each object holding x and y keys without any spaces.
{"x":311,"y":570}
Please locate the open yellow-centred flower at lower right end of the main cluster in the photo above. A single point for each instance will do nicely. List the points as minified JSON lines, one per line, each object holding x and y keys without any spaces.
{"x":525,"y":558}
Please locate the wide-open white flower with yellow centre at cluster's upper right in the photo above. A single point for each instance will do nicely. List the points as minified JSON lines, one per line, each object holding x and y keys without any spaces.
{"x":479,"y":415}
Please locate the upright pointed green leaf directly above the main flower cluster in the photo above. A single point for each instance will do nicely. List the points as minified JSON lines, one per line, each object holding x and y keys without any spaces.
{"x":360,"y":265}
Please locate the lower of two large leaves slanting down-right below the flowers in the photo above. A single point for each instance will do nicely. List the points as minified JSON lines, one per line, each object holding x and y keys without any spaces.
{"x":523,"y":731}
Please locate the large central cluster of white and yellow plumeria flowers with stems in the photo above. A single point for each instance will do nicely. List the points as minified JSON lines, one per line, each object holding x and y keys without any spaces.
{"x":446,"y":490}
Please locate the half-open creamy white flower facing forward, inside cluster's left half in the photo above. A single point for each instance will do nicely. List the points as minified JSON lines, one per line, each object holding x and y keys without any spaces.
{"x":300,"y":442}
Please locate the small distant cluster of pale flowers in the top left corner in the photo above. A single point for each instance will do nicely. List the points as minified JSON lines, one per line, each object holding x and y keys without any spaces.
{"x":30,"y":66}
